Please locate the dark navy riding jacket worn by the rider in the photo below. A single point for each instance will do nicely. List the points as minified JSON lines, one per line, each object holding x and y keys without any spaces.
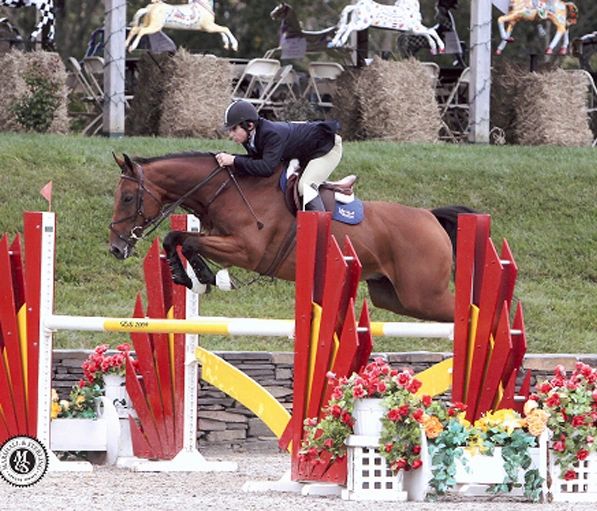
{"x":277,"y":142}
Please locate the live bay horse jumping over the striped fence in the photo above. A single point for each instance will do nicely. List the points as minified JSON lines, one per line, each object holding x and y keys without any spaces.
{"x":405,"y":252}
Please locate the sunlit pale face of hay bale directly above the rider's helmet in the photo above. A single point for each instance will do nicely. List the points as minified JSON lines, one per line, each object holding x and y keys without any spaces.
{"x":196,"y":96}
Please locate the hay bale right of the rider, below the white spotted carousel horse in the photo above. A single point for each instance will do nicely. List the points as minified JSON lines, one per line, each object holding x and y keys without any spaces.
{"x":388,"y":100}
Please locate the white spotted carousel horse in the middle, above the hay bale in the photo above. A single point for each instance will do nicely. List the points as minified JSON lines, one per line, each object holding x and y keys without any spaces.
{"x":404,"y":15}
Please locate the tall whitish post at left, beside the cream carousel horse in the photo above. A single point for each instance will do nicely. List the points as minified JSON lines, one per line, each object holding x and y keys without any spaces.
{"x":114,"y":57}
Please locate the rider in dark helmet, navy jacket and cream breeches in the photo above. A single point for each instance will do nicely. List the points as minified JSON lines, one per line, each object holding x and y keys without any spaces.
{"x":316,"y":145}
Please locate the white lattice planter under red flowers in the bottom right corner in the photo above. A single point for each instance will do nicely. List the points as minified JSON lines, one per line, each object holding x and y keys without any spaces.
{"x":581,"y":489}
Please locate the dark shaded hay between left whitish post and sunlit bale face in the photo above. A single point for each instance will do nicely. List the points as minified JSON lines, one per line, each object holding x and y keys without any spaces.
{"x":146,"y":106}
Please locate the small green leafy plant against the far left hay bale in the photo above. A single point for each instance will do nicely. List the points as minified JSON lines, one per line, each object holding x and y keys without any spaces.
{"x":35,"y":110}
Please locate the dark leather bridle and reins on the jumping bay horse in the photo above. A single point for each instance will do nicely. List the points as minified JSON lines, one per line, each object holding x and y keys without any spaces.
{"x":139,"y":232}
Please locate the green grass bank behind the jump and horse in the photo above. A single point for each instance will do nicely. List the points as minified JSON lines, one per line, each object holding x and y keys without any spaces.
{"x":542,"y":199}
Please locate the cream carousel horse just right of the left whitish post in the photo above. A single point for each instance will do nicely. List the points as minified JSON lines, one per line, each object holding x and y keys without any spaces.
{"x":194,"y":15}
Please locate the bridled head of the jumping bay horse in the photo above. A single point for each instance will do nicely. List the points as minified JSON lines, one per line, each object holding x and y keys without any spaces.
{"x":136,"y":205}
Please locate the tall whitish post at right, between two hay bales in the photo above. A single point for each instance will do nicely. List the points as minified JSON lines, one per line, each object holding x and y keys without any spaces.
{"x":480,"y":62}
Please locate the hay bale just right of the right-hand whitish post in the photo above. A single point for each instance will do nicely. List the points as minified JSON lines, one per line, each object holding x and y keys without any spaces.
{"x":550,"y":108}
